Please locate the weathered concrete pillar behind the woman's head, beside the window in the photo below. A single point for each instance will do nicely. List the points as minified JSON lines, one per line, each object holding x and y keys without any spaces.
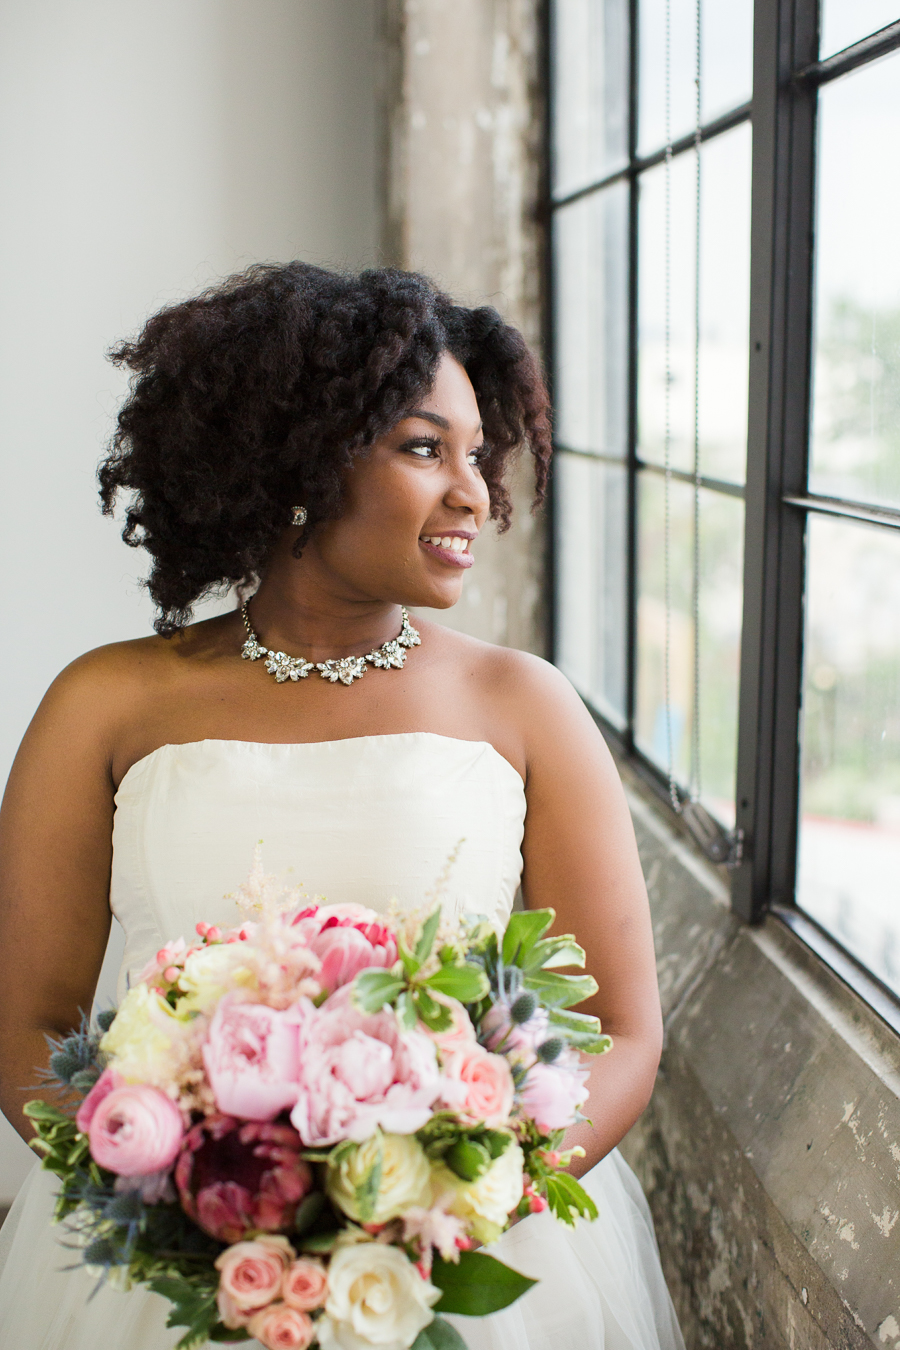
{"x":462,"y":198}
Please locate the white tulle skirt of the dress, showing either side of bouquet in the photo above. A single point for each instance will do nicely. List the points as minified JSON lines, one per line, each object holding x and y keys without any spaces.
{"x":601,"y":1285}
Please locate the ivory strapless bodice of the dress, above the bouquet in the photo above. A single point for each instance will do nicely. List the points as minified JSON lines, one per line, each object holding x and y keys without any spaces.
{"x":360,"y":820}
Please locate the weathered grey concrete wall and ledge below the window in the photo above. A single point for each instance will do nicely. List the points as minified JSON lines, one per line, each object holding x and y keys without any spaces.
{"x":771,"y":1152}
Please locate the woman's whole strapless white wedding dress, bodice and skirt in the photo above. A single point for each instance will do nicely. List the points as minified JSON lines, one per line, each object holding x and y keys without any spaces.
{"x":357,"y":820}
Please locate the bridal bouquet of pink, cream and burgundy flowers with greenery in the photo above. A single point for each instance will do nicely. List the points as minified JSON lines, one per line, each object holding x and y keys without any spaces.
{"x":302,"y":1129}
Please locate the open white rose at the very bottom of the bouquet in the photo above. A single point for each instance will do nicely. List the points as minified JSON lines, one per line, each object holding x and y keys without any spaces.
{"x":376,"y":1298}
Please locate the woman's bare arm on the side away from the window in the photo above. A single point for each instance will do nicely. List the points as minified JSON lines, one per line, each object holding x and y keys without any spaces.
{"x":56,"y":848}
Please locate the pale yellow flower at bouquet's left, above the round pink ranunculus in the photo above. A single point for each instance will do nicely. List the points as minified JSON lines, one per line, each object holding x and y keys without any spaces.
{"x":148,"y":1042}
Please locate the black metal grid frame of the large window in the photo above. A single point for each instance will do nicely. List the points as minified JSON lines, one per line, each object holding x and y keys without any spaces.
{"x":787,"y":76}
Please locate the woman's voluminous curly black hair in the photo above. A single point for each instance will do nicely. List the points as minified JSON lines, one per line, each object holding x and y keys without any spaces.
{"x":258,"y":395}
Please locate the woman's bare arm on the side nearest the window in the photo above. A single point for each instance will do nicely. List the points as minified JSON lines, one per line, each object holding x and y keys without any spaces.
{"x":581,"y":858}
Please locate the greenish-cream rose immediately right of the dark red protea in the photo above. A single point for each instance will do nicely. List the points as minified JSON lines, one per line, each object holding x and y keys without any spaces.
{"x":405,"y":1178}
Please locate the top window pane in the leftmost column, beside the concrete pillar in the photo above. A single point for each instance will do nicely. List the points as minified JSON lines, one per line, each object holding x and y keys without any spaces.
{"x":590,"y":91}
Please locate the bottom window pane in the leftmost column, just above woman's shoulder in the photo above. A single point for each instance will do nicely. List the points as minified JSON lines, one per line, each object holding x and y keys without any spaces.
{"x":590,"y":500}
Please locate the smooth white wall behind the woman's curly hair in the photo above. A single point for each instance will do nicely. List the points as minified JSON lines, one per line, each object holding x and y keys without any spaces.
{"x":145,"y":151}
